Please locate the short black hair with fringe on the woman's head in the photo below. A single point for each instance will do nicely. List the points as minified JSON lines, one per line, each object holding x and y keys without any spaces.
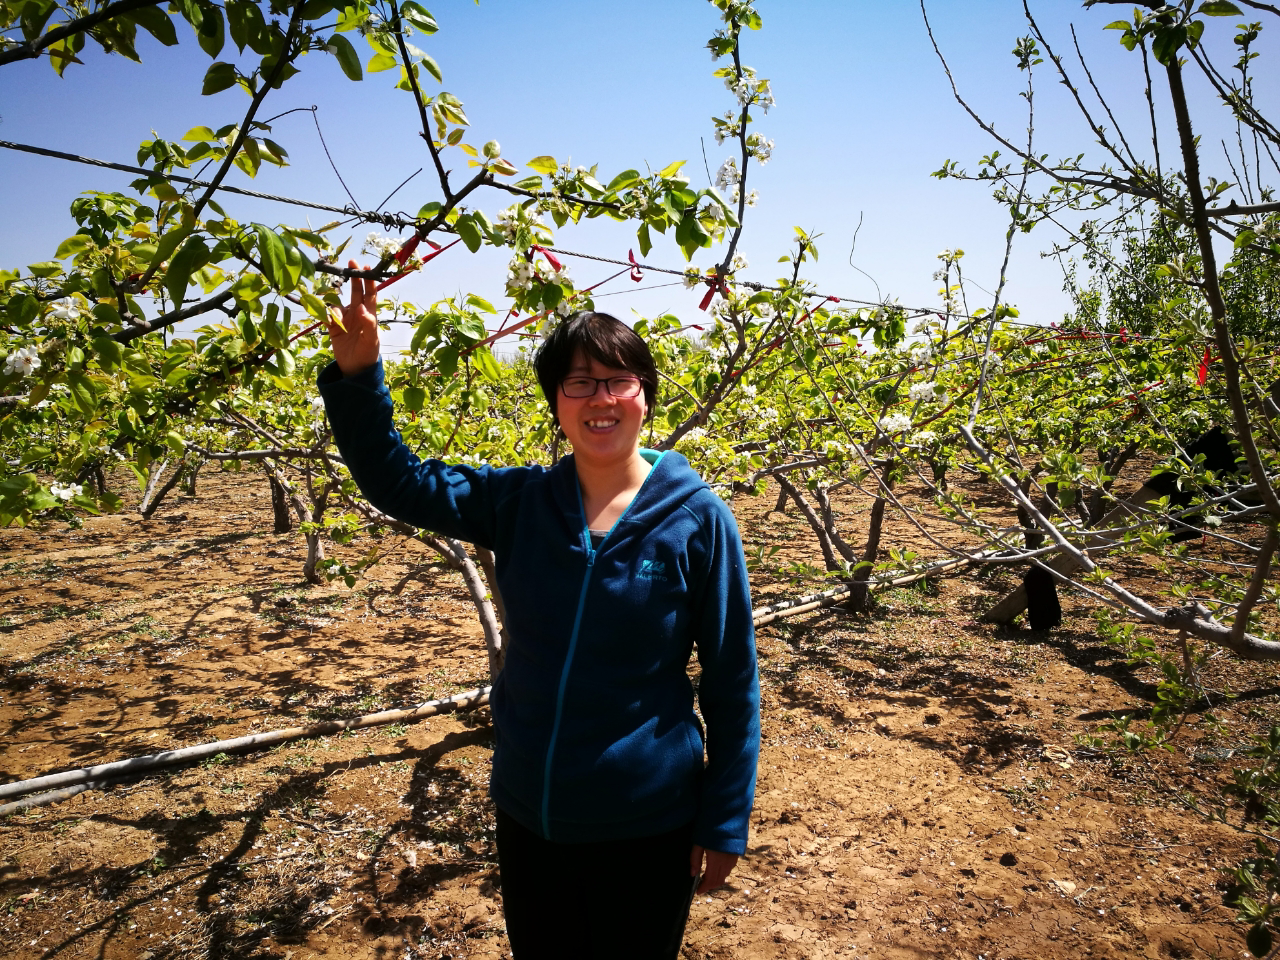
{"x":605,"y":340}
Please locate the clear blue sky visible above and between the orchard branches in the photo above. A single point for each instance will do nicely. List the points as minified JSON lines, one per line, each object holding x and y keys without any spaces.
{"x":863,"y":116}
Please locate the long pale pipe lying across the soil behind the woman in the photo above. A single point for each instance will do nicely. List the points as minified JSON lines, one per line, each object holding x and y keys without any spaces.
{"x":63,"y":787}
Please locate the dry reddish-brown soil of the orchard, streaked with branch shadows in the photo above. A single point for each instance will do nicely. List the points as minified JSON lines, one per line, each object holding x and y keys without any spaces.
{"x":924,"y":787}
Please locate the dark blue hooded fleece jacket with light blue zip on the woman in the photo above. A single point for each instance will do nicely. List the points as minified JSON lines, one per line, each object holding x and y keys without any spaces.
{"x":597,"y":738}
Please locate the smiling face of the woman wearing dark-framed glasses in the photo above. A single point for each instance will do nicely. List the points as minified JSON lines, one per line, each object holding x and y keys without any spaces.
{"x":604,"y":429}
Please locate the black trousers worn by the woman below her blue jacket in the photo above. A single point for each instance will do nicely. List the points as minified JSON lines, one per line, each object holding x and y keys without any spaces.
{"x":616,"y":900}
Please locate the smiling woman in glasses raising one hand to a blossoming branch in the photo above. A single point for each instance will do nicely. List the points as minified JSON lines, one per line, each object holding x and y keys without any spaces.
{"x":612,"y":565}
